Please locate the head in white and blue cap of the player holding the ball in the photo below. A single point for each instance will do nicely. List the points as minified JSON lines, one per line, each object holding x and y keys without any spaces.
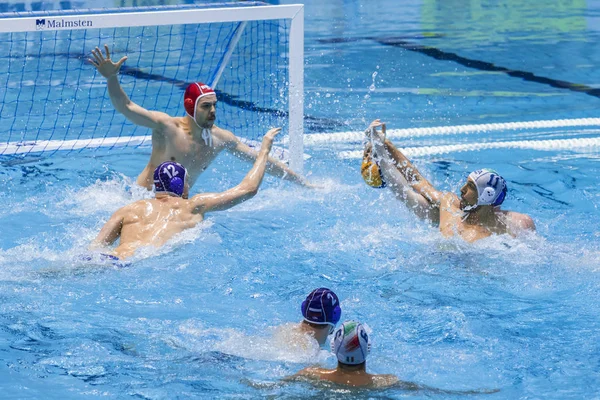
{"x":484,"y":187}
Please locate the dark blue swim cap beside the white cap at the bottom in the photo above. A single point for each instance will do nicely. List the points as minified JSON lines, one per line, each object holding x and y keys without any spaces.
{"x":321,"y":307}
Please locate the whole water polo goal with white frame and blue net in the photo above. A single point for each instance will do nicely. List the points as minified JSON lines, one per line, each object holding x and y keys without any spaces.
{"x":53,"y":100}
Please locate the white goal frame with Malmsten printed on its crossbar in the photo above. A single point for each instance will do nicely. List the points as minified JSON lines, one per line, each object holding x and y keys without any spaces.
{"x":137,"y":17}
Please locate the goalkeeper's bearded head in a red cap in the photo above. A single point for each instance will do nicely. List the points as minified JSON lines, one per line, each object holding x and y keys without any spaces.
{"x":199,"y":101}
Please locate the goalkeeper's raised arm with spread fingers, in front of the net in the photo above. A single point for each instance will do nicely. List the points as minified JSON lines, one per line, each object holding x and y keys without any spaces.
{"x":133,"y":112}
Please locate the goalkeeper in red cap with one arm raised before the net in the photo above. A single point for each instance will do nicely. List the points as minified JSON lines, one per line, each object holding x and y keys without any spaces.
{"x":193,"y":140}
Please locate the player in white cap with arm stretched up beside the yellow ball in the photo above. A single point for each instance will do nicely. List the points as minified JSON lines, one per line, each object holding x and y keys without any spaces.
{"x":473,"y":216}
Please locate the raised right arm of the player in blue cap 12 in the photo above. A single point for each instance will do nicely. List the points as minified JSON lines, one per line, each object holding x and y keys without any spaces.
{"x":207,"y":202}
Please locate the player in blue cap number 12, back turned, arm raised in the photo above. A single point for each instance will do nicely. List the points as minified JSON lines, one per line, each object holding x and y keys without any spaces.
{"x":153,"y":222}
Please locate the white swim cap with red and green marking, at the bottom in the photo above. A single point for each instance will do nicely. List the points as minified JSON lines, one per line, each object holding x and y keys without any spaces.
{"x":350,"y":343}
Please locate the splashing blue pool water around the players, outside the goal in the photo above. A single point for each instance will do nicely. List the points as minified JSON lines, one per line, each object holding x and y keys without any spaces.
{"x":198,"y":318}
